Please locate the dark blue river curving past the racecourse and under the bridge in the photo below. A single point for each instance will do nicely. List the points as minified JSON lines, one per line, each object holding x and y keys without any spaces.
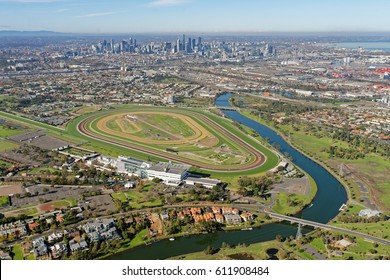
{"x":330,"y":196}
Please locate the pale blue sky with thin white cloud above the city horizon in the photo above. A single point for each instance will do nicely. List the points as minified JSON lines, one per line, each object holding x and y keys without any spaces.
{"x":212,"y":16}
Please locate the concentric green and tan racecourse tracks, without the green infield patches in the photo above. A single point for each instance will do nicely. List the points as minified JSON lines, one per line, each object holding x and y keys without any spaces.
{"x":203,"y":126}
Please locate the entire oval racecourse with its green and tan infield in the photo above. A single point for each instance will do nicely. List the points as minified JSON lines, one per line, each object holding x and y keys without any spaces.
{"x":187,"y":136}
